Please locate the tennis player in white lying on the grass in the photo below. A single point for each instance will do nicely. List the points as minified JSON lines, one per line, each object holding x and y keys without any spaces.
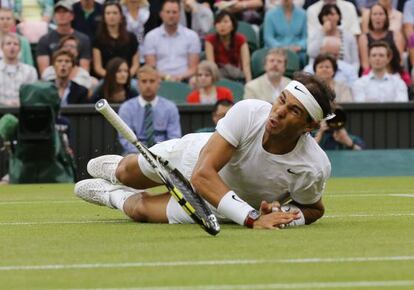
{"x":261,"y":156}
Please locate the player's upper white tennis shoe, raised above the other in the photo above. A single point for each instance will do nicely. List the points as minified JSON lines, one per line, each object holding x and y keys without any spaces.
{"x":104,"y":167}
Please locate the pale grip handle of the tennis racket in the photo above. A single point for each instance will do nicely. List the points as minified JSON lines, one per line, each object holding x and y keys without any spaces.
{"x":105,"y":109}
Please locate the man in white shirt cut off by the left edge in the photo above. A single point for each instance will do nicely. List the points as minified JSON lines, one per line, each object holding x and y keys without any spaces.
{"x":13,"y":73}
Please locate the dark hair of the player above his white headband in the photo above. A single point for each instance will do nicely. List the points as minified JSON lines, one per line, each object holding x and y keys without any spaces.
{"x":319,"y":89}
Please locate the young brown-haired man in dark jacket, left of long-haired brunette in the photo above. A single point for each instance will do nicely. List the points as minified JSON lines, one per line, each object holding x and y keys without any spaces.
{"x":69,"y":92}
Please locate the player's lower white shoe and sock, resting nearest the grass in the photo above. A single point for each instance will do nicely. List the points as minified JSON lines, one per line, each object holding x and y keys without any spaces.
{"x":98,"y":191}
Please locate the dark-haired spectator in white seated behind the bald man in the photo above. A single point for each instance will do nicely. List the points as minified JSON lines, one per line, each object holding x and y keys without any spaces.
{"x":330,"y":19}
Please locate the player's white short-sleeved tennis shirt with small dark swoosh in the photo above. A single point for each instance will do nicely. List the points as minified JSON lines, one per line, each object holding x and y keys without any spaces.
{"x":255,"y":174}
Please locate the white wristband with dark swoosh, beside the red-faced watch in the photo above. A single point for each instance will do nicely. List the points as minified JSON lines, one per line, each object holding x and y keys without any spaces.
{"x":234,"y":208}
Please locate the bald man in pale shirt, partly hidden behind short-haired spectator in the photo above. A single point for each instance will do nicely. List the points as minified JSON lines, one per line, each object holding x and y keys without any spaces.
{"x":345,"y":73}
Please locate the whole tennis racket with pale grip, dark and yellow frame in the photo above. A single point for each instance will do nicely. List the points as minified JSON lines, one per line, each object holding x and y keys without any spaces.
{"x":178,"y":186}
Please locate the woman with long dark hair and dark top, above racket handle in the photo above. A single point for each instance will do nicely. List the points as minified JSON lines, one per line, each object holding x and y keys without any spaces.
{"x":116,"y":86}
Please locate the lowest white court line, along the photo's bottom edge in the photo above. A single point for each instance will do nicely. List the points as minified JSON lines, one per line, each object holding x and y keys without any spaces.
{"x":305,"y":285}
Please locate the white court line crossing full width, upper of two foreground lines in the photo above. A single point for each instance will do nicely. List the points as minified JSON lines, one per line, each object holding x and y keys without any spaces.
{"x":204,"y":263}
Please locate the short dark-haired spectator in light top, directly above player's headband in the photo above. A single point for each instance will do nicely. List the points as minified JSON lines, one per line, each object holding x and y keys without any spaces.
{"x":325,"y":67}
